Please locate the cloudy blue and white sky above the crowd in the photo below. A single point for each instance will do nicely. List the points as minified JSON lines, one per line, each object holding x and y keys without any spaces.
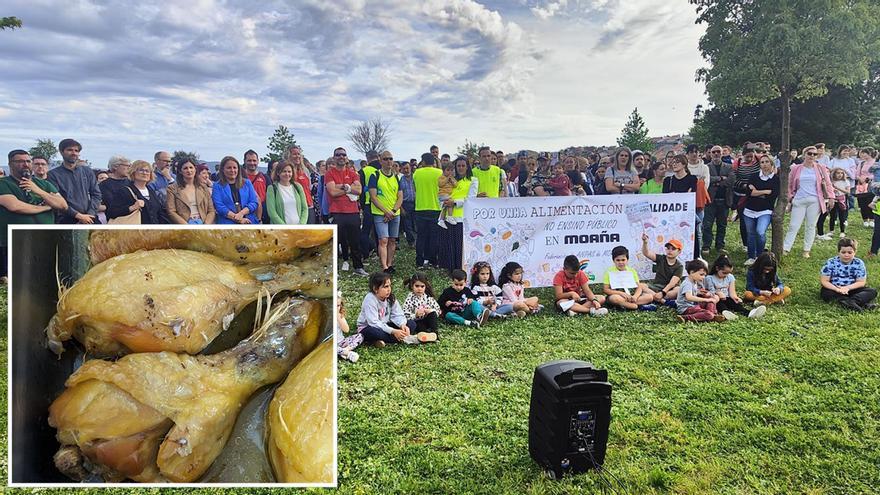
{"x":217,"y":77}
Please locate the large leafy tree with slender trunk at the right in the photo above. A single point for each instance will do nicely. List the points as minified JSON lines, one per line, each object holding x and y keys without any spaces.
{"x":784,"y":50}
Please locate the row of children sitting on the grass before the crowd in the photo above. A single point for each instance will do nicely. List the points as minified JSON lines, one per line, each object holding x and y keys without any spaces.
{"x":698,"y":293}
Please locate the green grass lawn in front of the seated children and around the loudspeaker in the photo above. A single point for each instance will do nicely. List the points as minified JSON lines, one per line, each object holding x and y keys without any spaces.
{"x":786,"y":404}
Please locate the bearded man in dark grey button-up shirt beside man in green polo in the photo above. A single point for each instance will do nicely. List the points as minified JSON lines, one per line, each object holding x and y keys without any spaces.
{"x":77,"y":185}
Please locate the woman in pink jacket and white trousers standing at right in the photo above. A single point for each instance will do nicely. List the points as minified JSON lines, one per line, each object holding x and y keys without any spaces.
{"x":809,"y":194}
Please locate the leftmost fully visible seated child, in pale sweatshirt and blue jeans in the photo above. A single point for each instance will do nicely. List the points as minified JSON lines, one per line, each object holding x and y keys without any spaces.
{"x":381,"y":320}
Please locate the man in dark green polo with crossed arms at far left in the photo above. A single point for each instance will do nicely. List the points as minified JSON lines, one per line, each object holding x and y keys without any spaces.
{"x":24,"y":199}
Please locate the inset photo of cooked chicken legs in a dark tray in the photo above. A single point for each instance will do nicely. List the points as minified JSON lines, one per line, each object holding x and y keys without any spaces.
{"x":172,"y":356}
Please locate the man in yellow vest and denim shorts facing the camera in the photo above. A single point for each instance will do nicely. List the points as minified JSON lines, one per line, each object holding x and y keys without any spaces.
{"x":386,"y":199}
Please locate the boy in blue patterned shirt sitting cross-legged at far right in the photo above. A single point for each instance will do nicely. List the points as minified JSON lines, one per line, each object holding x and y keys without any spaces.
{"x":843,"y":279}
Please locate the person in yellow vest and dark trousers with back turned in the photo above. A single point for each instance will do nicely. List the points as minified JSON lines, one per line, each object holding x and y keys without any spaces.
{"x":427,"y":211}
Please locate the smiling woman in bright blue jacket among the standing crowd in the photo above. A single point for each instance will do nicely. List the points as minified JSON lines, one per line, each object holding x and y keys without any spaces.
{"x":234,"y":196}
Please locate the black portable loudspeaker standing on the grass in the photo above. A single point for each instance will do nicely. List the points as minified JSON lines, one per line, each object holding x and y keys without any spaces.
{"x":569,"y":416}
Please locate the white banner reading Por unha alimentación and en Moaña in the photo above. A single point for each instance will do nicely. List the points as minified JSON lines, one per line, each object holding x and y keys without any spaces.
{"x":538,"y":233}
